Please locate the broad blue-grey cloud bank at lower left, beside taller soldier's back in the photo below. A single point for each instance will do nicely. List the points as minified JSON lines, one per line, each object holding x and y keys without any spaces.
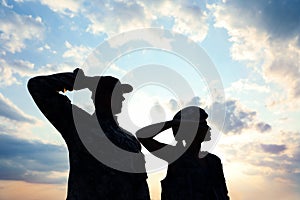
{"x":31,"y":161}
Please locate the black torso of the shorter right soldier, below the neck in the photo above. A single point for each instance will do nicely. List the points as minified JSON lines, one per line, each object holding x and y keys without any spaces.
{"x":191,"y":177}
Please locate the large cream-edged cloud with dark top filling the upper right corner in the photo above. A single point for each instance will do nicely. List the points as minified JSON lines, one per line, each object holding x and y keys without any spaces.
{"x":265,"y":35}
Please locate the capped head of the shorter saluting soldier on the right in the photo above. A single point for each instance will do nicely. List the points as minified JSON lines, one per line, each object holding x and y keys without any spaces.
{"x":191,"y":118}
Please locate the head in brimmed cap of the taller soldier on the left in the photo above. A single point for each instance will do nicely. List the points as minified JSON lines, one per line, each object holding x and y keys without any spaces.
{"x":108,"y":96}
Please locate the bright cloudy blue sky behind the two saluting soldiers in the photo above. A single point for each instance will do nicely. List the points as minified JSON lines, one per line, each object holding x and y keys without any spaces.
{"x":255,"y":50}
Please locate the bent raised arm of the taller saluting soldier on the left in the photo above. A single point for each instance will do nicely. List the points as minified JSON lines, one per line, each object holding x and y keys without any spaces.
{"x":56,"y":107}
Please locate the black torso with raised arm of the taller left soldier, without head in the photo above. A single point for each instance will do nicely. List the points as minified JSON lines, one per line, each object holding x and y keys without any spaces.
{"x":88,"y":178}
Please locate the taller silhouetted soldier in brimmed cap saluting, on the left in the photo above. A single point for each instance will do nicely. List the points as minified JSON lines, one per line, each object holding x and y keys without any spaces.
{"x":89,"y":178}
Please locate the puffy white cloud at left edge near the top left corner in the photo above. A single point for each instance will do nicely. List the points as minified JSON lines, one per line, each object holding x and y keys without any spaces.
{"x":16,"y":29}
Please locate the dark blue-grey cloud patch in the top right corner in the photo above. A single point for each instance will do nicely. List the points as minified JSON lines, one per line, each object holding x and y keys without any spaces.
{"x":280,"y":18}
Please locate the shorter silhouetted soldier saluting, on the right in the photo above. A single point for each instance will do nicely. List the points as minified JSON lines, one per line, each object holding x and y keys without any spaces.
{"x":195,"y":174}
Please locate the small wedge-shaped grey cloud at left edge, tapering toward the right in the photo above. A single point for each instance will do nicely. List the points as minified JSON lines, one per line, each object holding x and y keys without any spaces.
{"x":11,"y":111}
